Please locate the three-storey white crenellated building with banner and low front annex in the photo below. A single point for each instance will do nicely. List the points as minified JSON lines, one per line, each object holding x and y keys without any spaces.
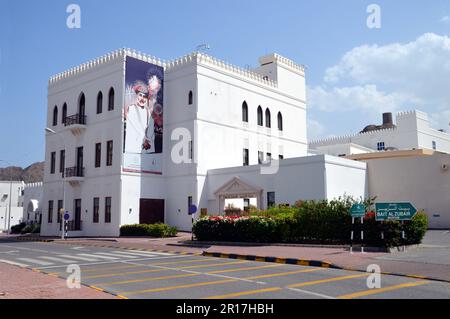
{"x":108,"y":162}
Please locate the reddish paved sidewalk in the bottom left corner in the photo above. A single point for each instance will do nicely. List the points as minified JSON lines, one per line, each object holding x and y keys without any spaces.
{"x":20,"y":283}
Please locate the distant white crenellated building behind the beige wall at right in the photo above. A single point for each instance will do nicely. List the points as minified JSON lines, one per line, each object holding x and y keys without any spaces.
{"x":411,"y":131}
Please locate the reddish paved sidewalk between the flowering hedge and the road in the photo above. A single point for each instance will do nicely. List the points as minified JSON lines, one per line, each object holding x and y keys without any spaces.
{"x":430,"y":260}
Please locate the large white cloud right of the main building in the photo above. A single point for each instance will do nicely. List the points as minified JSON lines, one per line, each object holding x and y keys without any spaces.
{"x":392,"y":77}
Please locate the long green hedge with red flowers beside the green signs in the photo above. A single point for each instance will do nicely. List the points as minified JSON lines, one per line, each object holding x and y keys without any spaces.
{"x":313,"y":222}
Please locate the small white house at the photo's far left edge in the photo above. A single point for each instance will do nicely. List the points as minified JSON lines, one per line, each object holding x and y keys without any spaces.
{"x":11,"y":203}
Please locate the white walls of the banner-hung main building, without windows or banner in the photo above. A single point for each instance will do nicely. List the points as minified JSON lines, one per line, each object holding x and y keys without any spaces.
{"x":217,"y":129}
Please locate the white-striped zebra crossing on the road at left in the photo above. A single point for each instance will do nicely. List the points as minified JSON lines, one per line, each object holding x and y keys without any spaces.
{"x":60,"y":259}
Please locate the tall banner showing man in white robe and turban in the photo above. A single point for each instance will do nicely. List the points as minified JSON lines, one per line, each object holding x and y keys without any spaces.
{"x":143,"y":117}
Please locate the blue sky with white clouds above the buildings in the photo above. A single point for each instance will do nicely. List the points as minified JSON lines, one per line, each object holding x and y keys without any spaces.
{"x":349,"y":84}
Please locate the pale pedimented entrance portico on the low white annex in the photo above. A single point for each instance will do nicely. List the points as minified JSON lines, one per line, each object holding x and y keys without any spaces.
{"x":238,"y":189}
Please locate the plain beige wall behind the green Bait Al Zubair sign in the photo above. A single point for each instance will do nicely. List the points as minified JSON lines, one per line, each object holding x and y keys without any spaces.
{"x":419,"y":180}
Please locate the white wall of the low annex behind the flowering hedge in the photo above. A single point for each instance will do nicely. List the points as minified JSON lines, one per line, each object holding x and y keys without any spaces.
{"x":307,"y":178}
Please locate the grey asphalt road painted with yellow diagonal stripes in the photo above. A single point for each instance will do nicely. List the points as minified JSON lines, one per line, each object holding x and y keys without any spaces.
{"x":152,"y":274}
